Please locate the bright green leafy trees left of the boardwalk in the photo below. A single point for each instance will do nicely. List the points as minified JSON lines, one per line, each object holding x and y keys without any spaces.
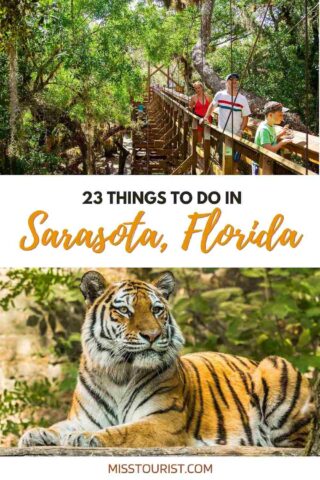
{"x":77,"y":67}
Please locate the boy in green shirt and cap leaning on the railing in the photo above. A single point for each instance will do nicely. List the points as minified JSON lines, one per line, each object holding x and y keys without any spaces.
{"x":266,"y":136}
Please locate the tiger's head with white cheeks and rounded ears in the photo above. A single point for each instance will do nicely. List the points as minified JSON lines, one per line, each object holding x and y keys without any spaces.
{"x":129,"y":324}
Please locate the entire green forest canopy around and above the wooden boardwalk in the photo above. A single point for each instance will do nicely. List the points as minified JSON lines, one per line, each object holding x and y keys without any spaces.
{"x":70,"y":70}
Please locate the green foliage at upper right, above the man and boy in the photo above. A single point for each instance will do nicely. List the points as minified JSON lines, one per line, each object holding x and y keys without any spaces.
{"x":277,"y":69}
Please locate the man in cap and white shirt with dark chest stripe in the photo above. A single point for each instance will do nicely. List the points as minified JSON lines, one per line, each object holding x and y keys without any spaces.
{"x":233,"y":108}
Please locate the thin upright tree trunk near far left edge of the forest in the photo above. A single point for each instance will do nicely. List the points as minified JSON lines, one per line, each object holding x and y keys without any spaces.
{"x":14,"y":109}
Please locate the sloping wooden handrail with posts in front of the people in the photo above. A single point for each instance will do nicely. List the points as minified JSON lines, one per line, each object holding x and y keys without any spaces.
{"x":250,"y":152}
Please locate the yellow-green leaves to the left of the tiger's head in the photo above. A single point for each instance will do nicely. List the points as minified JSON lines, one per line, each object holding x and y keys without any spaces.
{"x":56,"y":305}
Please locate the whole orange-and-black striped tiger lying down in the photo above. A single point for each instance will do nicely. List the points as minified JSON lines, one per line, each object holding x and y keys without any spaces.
{"x":135,"y":389}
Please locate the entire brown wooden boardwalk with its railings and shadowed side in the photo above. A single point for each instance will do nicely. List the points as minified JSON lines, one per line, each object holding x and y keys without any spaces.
{"x":166,"y":143}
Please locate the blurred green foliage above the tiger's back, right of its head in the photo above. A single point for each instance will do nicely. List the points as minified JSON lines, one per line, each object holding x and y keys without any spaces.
{"x":252,"y":312}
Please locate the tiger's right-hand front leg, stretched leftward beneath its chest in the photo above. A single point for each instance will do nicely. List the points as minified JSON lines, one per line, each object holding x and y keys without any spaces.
{"x":146,"y":433}
